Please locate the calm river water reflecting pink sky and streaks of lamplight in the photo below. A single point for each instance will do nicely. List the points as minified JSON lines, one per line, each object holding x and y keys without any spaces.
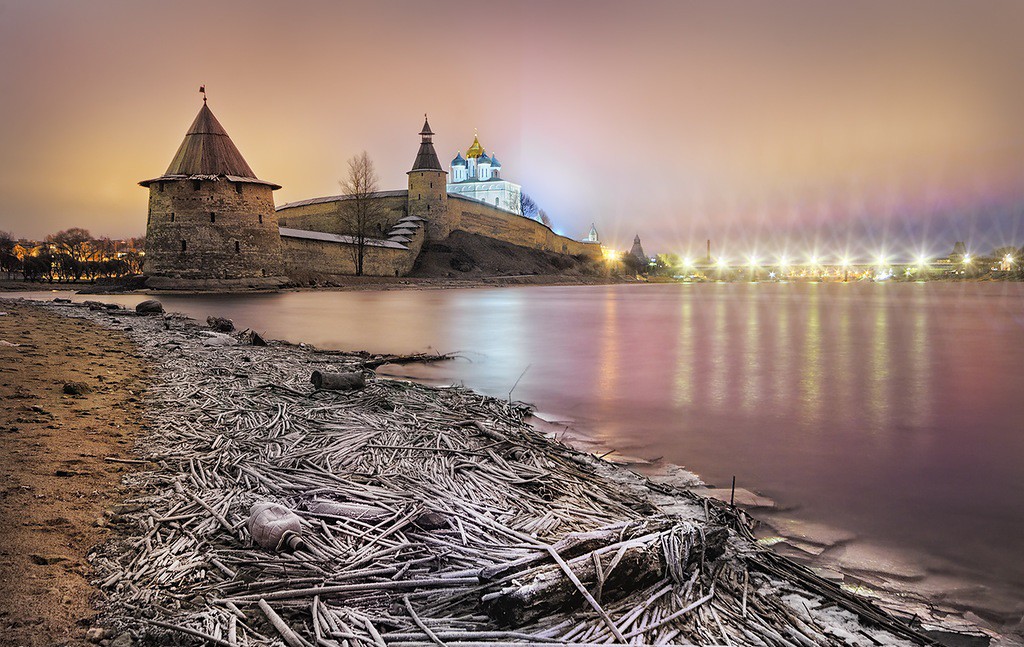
{"x":894,"y":411}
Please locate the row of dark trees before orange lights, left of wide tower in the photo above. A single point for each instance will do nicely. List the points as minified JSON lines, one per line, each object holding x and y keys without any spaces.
{"x":70,"y":255}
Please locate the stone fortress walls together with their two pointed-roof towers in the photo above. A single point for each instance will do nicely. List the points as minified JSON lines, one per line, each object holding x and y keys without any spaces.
{"x":212,"y":225}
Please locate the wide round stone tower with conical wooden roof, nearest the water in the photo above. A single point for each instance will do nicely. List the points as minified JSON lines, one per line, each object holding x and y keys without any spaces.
{"x":211,"y":223}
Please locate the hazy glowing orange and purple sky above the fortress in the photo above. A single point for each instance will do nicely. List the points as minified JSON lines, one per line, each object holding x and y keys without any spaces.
{"x":759,"y":124}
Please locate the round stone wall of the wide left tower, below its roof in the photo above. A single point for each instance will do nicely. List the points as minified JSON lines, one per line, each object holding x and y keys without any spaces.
{"x":207,"y":230}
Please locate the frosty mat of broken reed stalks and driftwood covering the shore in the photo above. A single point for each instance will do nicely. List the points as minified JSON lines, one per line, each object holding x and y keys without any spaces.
{"x":421,"y":509}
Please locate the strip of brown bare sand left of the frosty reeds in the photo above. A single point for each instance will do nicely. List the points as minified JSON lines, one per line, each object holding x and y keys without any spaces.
{"x":60,"y":487}
